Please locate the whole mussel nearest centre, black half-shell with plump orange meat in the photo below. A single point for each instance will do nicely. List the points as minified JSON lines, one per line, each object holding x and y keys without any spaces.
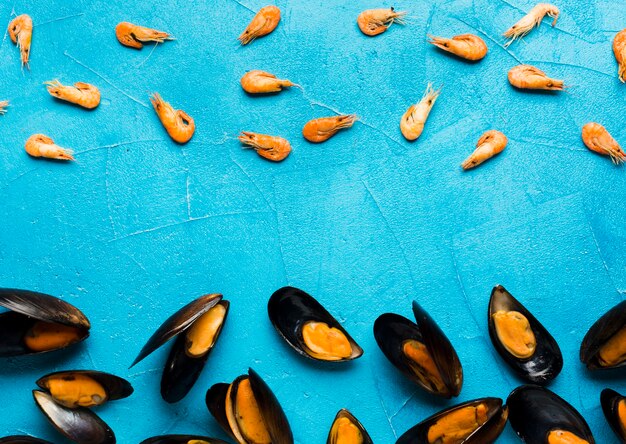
{"x":308,"y":328}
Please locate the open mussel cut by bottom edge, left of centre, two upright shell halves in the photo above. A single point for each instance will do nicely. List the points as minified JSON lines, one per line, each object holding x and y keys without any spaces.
{"x":248,"y":411}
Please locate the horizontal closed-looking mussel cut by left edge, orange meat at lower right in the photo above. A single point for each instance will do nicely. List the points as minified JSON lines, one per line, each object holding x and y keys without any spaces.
{"x":38,"y":323}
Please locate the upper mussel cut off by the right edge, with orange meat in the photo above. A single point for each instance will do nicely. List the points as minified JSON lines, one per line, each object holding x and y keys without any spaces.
{"x":604,"y":345}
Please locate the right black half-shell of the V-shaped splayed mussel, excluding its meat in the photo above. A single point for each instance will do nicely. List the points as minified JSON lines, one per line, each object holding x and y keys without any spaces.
{"x":181,"y":370}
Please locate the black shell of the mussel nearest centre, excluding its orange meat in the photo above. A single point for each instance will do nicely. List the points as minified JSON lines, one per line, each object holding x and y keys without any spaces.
{"x":290,"y":309}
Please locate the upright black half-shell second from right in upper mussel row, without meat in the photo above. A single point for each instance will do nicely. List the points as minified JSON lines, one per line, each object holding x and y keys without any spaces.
{"x":546,"y":362}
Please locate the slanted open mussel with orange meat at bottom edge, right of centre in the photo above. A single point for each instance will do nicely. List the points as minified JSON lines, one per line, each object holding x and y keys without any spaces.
{"x":480,"y":421}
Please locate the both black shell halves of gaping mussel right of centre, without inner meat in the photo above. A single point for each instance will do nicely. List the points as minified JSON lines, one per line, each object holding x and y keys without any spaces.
{"x":391,"y":330}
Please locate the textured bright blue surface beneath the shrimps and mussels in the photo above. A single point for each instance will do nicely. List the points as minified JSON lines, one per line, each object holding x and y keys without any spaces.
{"x":366,"y":222}
